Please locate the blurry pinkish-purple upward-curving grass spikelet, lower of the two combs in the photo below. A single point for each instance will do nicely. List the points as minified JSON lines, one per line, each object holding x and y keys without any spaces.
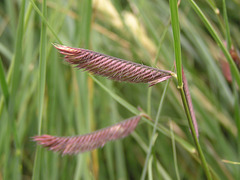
{"x":88,"y":142}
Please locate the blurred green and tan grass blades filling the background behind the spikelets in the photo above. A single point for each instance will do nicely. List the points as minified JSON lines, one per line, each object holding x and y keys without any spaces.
{"x":43,"y":95}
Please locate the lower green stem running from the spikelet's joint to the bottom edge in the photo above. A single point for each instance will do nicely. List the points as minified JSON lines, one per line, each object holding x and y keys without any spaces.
{"x":190,"y":122}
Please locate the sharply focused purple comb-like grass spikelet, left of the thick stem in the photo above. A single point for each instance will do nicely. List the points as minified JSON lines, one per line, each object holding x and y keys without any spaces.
{"x":112,"y":67}
